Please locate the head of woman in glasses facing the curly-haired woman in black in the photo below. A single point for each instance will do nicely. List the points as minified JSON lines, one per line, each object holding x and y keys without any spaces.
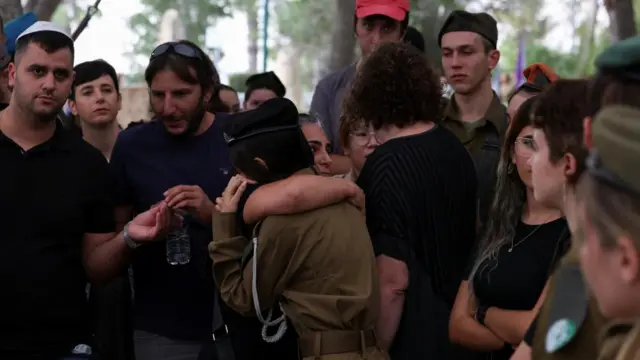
{"x":358,"y":141}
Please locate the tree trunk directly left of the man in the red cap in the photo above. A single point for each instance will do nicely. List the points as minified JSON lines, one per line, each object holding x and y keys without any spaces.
{"x":343,"y":42}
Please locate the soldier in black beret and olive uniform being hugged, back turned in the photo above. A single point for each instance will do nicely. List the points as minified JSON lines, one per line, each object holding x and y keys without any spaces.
{"x":318,"y":266}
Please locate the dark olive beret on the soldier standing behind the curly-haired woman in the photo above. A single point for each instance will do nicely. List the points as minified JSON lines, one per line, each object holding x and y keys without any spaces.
{"x":479,"y":23}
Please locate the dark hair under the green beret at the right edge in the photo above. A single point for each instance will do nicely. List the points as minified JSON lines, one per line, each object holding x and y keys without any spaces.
{"x":607,"y":88}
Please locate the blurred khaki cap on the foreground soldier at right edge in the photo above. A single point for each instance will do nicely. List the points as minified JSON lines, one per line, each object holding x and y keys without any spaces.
{"x":616,"y":140}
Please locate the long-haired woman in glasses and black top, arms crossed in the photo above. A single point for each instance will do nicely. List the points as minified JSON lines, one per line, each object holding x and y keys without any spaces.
{"x":520,"y":245}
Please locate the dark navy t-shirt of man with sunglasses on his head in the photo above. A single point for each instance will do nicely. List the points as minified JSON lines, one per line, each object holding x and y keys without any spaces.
{"x":172,"y":301}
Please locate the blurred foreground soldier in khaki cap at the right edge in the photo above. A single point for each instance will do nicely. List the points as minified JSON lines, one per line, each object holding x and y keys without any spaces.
{"x":610,"y":240}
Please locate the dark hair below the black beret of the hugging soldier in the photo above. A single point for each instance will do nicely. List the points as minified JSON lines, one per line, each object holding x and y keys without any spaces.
{"x":284,"y":153}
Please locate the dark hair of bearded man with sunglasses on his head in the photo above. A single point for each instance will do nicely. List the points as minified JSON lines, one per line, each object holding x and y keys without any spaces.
{"x":206,"y":74}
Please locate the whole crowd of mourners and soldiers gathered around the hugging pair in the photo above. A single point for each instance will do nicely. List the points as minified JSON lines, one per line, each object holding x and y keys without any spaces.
{"x":388,"y":222}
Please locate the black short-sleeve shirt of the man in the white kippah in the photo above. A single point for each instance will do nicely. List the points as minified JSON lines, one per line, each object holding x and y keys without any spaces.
{"x":50,"y":196}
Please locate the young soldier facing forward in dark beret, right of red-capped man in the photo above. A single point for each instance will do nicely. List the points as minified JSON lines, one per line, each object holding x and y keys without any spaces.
{"x":462,"y":56}
